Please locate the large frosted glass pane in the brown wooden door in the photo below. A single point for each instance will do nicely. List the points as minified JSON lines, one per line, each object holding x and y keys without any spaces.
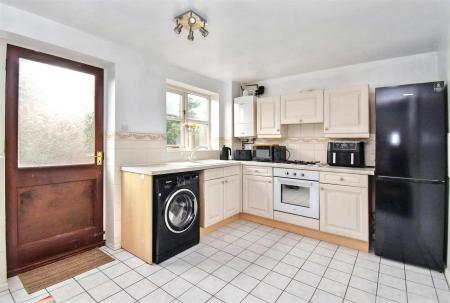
{"x":56,"y":120}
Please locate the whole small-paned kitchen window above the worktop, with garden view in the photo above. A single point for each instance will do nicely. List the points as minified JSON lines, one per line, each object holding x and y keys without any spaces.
{"x":188,"y":119}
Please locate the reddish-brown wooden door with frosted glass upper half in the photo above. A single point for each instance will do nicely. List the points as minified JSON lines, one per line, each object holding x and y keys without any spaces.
{"x":54,"y":183}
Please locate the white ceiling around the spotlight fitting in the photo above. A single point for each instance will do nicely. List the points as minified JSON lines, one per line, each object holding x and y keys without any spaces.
{"x":260,"y":39}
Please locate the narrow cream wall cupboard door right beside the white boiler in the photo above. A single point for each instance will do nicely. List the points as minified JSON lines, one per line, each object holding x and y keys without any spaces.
{"x":268,"y":116}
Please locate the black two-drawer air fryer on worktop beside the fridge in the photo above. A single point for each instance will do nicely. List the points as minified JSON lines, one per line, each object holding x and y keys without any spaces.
{"x":349,"y":154}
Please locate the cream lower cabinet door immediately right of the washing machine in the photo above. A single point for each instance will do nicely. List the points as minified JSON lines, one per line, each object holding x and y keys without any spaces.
{"x":213,"y":202}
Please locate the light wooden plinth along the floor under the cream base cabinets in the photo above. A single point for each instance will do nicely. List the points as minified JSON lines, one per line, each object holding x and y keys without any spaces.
{"x":343,"y":241}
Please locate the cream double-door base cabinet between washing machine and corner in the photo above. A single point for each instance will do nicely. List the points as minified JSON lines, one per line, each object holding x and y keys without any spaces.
{"x":221,"y":194}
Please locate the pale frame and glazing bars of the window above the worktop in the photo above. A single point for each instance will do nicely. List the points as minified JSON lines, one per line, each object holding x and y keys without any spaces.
{"x":184,"y":117}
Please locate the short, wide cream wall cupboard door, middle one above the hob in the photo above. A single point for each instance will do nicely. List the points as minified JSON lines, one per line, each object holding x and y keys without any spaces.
{"x":304,"y":107}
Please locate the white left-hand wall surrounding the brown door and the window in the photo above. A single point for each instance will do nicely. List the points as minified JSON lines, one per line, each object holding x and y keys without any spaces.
{"x":134,"y":103}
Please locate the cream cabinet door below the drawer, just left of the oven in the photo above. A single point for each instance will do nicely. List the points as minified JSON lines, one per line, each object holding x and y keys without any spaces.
{"x":258,"y":196}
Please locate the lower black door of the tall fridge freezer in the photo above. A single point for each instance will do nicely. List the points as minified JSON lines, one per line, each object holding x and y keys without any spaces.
{"x":411,"y":221}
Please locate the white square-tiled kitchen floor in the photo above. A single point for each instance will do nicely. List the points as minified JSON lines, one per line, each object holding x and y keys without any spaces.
{"x":247,"y":262}
